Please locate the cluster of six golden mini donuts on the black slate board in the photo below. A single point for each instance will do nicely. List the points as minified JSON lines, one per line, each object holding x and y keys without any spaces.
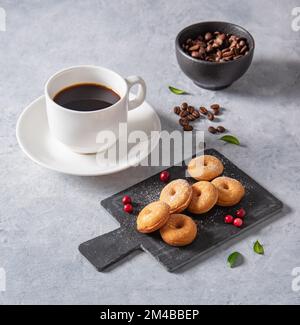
{"x":165,"y":215}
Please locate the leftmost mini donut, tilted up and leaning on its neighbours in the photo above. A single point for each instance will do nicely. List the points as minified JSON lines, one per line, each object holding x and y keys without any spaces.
{"x":153,"y":217}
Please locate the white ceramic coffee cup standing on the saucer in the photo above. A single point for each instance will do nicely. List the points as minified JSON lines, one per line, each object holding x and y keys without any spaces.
{"x":78,"y":130}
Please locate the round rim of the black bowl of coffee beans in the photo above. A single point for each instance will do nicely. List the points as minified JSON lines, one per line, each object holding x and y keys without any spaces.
{"x":178,"y":46}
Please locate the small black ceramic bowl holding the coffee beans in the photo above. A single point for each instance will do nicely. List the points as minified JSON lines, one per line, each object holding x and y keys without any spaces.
{"x":213,"y":75}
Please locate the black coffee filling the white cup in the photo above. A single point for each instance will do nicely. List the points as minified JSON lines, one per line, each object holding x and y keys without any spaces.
{"x":86,"y":97}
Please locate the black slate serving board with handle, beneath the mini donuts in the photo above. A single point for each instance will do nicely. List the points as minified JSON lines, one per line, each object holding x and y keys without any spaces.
{"x":212,"y":231}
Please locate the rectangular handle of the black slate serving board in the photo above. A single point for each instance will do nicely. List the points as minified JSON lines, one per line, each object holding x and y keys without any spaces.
{"x":107,"y":249}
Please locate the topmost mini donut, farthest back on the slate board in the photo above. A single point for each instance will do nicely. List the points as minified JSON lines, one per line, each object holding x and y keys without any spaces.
{"x":205,"y":168}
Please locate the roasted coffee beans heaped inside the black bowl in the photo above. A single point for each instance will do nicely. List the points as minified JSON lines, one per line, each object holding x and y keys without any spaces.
{"x":216,"y":47}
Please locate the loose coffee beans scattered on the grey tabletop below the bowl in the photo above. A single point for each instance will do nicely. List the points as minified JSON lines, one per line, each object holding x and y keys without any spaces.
{"x":189,"y":114}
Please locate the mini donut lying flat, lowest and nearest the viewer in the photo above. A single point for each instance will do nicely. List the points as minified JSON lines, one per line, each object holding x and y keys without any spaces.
{"x":179,"y":230}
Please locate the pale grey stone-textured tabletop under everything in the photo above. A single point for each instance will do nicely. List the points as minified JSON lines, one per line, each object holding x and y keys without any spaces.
{"x":45,"y":215}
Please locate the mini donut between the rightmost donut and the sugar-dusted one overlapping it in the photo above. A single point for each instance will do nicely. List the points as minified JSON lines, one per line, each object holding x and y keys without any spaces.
{"x":205,"y":196}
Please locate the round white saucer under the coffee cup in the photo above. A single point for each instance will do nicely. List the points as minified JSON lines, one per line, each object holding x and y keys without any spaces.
{"x":35,"y":140}
